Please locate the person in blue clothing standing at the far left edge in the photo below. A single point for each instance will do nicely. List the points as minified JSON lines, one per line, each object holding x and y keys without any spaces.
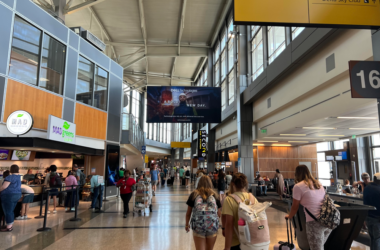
{"x":10,"y":193}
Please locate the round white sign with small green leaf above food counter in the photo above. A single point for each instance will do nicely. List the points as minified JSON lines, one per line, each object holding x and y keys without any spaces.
{"x":19,"y":122}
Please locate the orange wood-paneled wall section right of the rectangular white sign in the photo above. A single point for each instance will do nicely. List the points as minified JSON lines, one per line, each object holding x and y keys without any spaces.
{"x":90,"y":122}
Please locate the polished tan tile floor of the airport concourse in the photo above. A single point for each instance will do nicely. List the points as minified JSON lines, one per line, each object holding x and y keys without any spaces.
{"x":163,"y":229}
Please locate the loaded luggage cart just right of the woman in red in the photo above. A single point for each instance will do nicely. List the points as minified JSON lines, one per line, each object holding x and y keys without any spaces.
{"x":142,"y":198}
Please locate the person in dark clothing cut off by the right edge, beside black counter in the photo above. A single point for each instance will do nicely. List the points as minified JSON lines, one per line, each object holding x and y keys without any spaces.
{"x":371,"y":196}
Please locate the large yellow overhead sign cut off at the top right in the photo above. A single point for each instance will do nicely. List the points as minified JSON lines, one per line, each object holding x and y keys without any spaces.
{"x":324,"y":13}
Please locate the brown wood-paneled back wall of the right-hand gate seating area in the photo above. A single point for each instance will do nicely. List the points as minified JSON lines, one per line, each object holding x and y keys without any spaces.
{"x":286,"y":159}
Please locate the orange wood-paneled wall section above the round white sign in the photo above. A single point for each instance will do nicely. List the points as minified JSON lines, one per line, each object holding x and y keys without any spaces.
{"x":40,"y":104}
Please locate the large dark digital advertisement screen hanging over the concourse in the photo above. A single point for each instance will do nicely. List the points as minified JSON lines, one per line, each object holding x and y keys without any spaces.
{"x":177,"y":104}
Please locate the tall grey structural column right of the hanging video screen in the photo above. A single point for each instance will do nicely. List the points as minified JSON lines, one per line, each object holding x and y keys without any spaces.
{"x":244,"y":112}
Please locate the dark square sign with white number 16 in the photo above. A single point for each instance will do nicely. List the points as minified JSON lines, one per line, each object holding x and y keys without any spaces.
{"x":365,"y":79}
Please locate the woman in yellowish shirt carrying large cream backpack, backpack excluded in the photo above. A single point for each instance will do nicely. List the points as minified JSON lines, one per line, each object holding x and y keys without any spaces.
{"x":230,"y":218}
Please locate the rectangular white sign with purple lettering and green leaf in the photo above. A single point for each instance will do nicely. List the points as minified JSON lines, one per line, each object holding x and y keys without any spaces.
{"x":61,"y":130}
